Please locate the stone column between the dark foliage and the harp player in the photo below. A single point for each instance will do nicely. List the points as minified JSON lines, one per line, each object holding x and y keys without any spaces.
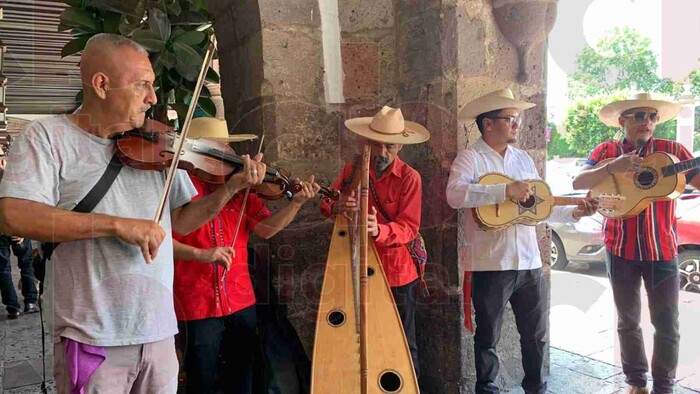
{"x":272,"y":82}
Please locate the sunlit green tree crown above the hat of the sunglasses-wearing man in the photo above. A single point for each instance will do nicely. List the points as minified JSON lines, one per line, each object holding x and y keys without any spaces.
{"x":620,"y":61}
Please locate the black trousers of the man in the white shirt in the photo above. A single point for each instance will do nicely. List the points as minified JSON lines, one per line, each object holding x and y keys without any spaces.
{"x":526,"y":291}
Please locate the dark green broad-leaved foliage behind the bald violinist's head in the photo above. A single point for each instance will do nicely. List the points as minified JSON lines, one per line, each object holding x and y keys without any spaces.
{"x":175,"y":33}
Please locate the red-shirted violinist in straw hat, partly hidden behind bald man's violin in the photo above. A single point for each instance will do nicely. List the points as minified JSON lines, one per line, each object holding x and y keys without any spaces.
{"x":214,"y":297}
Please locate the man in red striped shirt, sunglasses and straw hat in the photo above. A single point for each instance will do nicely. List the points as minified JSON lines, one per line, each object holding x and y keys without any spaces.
{"x":643,"y":247}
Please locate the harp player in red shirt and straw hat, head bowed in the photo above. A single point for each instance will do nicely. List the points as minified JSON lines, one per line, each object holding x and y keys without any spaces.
{"x":395,"y":202}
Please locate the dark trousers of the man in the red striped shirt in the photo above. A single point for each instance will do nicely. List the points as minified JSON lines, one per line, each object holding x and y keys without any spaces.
{"x":662,"y":282}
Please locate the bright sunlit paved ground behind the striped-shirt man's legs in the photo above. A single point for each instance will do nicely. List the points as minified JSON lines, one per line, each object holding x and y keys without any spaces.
{"x":583,"y":323}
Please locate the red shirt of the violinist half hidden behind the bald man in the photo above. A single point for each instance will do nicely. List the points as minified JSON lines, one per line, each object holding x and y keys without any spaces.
{"x":199,"y":290}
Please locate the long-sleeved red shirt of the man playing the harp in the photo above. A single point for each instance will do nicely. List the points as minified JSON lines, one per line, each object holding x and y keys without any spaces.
{"x":400,"y":190}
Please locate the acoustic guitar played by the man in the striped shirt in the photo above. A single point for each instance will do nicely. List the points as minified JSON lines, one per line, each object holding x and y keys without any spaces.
{"x":660,"y":177}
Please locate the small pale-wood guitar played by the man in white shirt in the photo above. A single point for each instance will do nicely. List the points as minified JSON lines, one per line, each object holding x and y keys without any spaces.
{"x":535,"y":210}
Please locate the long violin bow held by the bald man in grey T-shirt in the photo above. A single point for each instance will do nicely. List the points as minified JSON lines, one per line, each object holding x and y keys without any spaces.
{"x":208,"y":56}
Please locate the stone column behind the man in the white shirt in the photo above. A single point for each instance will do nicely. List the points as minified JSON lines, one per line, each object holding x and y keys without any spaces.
{"x":449,"y":53}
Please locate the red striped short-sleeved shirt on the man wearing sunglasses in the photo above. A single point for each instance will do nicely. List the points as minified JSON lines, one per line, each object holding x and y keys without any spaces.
{"x":651,"y":235}
